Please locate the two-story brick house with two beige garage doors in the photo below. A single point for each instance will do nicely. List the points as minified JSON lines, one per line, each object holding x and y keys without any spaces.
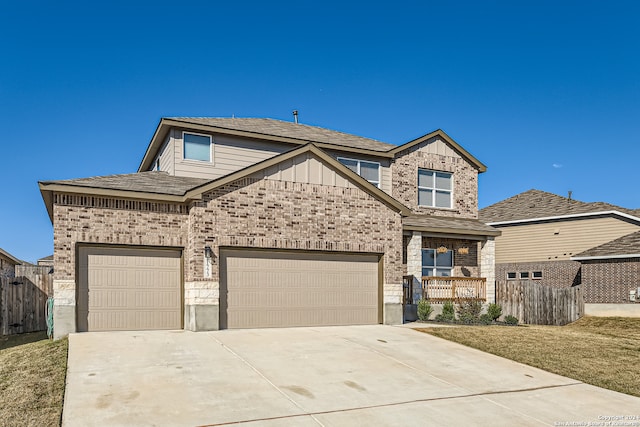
{"x":236,"y":223}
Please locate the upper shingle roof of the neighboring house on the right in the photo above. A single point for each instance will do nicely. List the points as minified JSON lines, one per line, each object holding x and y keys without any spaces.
{"x":540,"y":204}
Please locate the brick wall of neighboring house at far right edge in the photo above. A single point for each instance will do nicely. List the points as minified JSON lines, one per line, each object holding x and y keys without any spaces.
{"x":610,"y":280}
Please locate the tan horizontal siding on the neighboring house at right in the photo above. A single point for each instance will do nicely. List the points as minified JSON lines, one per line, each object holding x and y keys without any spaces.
{"x":557,"y":241}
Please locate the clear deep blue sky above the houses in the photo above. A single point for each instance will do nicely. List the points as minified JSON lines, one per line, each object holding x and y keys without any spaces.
{"x":545,"y":93}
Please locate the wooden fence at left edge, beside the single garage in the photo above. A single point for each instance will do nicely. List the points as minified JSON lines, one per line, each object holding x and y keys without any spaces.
{"x":22,"y":303}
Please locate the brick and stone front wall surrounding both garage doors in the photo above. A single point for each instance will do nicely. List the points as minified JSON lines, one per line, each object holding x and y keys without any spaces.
{"x":250,"y":212}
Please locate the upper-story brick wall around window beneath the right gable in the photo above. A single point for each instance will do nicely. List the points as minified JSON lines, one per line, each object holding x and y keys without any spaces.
{"x":465,"y":181}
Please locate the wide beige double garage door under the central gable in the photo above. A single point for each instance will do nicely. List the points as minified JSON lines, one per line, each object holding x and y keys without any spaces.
{"x":282,"y":289}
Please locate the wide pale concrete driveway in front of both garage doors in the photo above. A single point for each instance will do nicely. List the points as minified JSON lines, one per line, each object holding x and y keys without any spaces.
{"x":329,"y":376}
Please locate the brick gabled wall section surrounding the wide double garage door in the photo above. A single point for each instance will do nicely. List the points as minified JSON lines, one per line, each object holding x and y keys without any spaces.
{"x":287,"y":215}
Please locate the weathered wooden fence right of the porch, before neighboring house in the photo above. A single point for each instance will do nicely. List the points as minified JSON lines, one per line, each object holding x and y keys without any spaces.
{"x":537,"y":304}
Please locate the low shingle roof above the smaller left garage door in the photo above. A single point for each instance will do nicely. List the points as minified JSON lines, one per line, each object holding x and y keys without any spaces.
{"x":148,"y":182}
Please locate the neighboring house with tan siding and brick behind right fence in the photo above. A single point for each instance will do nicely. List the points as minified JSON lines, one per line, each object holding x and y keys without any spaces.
{"x":563,"y":242}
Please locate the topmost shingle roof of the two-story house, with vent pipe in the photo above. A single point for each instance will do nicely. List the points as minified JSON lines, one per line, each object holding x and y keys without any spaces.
{"x":304,"y":133}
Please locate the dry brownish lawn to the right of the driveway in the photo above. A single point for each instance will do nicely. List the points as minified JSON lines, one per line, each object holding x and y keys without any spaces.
{"x":603,"y":351}
